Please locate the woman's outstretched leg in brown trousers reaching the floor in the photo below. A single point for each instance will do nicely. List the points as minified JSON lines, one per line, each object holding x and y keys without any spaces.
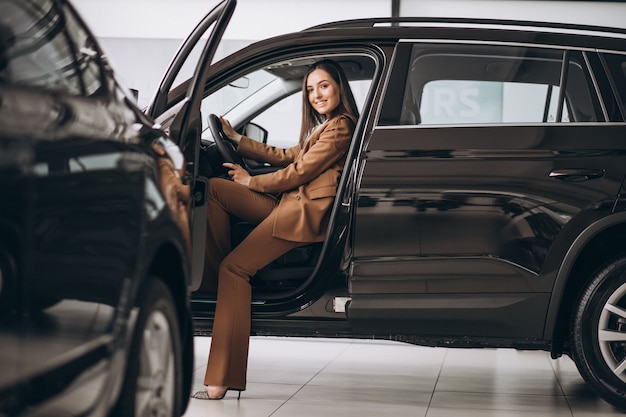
{"x":228,"y":358}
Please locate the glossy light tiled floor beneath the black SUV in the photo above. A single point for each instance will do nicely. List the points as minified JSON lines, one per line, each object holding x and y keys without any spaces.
{"x":338,"y":377}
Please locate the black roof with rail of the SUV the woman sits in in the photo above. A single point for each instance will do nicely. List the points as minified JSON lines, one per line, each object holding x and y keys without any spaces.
{"x":363,"y":32}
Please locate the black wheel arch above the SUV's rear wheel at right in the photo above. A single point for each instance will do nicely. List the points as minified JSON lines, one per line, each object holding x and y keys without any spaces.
{"x":600,"y":242}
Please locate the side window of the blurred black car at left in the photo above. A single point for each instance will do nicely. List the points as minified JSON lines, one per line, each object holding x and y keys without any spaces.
{"x":39,"y":48}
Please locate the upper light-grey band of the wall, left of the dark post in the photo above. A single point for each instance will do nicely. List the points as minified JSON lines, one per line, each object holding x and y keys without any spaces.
{"x":252,"y":20}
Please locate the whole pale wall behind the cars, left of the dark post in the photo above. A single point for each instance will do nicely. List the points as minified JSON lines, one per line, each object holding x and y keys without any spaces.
{"x":141,"y":36}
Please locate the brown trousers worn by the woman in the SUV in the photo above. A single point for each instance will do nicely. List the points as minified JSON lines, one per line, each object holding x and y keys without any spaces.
{"x":228,"y":357}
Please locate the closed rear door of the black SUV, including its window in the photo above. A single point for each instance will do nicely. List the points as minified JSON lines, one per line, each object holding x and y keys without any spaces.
{"x":474,"y":183}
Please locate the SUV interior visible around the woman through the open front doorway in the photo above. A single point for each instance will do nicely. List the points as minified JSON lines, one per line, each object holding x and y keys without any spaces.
{"x":279,"y":89}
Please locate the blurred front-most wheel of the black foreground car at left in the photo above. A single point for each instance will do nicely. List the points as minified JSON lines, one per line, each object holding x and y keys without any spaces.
{"x":153,"y":382}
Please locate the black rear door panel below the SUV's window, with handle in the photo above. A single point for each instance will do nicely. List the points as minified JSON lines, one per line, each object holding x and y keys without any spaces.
{"x":452,"y":227}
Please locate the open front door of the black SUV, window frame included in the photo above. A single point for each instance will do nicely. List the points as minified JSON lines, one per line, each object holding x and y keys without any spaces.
{"x":179,"y":114}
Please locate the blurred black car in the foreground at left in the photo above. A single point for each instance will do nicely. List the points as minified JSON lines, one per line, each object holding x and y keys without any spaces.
{"x":95,"y":317}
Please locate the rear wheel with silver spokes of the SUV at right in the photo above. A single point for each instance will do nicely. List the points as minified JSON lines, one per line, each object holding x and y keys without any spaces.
{"x":598,"y":333}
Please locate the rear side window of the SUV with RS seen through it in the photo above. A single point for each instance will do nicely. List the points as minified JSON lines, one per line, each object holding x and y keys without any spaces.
{"x":460,"y":84}
